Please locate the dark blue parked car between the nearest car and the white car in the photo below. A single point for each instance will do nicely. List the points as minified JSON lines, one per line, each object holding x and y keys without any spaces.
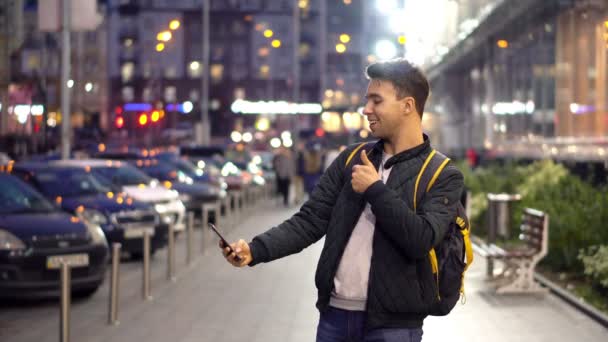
{"x":122,"y":218}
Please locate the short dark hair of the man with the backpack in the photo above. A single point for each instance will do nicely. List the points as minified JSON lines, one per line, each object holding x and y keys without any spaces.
{"x":407,"y":79}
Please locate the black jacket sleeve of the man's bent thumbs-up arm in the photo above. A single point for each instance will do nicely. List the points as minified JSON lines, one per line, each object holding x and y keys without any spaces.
{"x":417,"y":233}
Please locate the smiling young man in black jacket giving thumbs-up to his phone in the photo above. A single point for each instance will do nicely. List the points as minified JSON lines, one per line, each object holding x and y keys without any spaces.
{"x":374,"y":278}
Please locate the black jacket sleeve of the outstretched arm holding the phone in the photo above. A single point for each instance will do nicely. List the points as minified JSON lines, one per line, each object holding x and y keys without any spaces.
{"x":306,"y":226}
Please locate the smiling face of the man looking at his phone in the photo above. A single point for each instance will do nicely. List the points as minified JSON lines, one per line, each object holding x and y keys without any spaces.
{"x":385,"y":113}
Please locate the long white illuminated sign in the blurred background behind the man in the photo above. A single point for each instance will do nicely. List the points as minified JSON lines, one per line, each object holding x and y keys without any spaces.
{"x":275,"y":107}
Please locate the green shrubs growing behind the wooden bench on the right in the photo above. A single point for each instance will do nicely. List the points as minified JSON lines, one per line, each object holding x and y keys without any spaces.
{"x":577,"y":211}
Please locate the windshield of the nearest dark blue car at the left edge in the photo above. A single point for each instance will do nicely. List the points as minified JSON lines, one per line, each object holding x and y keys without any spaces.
{"x":17,"y":197}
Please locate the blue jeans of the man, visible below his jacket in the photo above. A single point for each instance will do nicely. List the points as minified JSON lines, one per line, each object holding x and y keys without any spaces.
{"x":337,"y":325}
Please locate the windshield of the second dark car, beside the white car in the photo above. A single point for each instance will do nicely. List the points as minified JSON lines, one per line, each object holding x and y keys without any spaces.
{"x":68,"y":183}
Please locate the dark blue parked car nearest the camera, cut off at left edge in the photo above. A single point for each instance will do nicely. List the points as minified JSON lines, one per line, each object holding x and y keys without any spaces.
{"x":36,"y":236}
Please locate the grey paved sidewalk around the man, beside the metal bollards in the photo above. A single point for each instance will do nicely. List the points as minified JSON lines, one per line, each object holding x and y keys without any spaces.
{"x":212,"y":301}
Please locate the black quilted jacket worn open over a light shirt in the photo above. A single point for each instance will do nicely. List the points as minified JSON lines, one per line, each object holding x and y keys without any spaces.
{"x":401,"y":285}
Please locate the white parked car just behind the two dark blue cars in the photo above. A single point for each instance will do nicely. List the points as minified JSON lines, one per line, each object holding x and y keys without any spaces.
{"x":122,"y":176}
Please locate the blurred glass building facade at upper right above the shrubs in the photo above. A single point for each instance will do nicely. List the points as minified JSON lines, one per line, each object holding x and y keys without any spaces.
{"x":528,"y":80}
